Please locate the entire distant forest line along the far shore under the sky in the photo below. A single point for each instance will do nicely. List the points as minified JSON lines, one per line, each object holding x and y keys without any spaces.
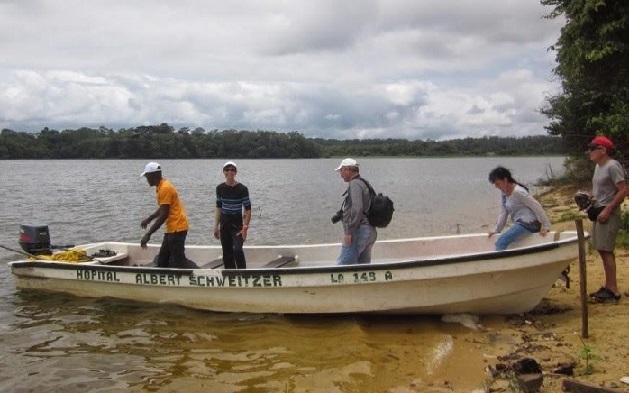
{"x":163,"y":141}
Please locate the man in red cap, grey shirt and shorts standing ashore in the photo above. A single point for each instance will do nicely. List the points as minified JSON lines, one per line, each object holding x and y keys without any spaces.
{"x":609,"y":189}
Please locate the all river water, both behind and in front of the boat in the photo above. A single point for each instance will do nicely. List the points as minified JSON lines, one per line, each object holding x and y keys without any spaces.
{"x":61,"y":343}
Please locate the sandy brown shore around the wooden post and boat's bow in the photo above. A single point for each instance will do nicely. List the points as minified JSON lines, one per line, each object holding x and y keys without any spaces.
{"x":551,"y":333}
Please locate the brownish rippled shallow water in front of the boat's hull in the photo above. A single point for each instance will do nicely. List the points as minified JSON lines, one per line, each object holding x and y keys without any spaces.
{"x":106,"y":345}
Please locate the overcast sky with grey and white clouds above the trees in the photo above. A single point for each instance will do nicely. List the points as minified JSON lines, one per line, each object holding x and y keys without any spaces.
{"x":415,"y":69}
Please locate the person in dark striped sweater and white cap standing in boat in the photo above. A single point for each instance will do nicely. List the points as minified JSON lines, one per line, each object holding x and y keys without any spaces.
{"x":231,"y":223}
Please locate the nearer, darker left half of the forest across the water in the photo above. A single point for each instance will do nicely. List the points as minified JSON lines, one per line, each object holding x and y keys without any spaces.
{"x":154,"y":142}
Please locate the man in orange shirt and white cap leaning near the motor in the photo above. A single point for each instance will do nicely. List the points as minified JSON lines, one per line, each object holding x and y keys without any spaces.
{"x":172,"y":212}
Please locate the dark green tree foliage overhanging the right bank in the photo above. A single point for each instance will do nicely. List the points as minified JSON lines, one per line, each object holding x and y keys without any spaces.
{"x":593,"y":64}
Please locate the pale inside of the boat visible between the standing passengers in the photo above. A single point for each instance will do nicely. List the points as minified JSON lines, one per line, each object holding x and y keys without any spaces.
{"x":317,"y":255}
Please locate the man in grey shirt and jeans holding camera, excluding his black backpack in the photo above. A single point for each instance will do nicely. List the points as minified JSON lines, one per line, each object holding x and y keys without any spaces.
{"x":358,"y":235}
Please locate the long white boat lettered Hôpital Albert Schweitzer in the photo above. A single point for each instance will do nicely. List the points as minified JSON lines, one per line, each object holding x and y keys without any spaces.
{"x":428,"y":275}
